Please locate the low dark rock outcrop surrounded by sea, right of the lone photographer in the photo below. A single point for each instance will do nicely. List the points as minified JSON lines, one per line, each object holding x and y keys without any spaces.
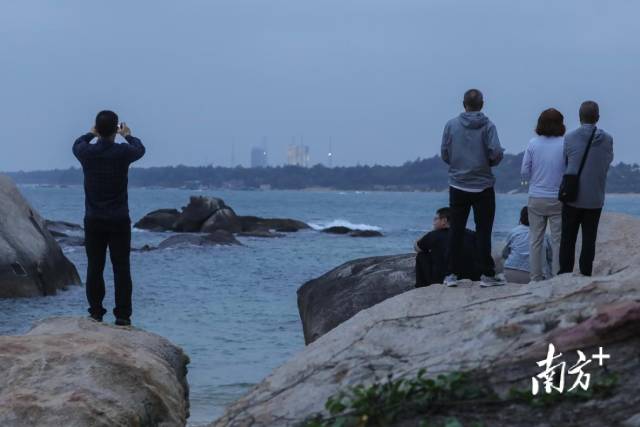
{"x":209,"y":214}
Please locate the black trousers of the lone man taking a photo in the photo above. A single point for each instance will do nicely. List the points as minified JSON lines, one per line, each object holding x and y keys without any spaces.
{"x":117,"y":237}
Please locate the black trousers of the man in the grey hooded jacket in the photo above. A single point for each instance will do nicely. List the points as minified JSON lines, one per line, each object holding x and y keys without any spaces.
{"x":484,"y":211}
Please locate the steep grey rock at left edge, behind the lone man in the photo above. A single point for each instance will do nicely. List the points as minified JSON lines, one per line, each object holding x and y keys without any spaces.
{"x":31,"y":261}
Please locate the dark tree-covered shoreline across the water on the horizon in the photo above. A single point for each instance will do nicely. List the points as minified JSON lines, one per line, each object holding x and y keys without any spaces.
{"x":419,"y":175}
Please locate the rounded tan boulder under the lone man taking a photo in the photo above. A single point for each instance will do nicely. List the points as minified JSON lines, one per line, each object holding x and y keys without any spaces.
{"x":78,"y":372}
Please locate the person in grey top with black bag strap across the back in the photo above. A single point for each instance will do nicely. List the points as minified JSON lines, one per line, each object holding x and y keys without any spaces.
{"x":585,"y":211}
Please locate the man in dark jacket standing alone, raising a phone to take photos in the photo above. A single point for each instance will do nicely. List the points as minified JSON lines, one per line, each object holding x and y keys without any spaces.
{"x":105,"y":164}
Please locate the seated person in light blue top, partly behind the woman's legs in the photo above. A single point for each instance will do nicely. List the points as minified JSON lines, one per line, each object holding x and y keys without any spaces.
{"x":516,"y":252}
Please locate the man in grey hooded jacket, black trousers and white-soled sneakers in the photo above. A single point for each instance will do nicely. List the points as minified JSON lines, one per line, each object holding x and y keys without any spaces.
{"x":470,"y":146}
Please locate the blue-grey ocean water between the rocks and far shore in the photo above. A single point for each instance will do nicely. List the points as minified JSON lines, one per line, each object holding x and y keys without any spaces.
{"x":233,"y":309}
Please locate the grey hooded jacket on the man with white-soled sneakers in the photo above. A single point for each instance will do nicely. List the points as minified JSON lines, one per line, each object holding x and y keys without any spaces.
{"x":470,"y":146}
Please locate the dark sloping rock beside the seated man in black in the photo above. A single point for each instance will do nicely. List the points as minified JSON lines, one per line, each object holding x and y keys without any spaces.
{"x":338,"y":295}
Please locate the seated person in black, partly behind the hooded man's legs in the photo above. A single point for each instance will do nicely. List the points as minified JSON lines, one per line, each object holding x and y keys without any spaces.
{"x":431,"y":258}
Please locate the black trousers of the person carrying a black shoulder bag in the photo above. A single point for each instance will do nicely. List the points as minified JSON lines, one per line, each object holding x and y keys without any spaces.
{"x":572,"y":220}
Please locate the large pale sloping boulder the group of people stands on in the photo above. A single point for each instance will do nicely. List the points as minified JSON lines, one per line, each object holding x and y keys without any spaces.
{"x":499,"y":334}
